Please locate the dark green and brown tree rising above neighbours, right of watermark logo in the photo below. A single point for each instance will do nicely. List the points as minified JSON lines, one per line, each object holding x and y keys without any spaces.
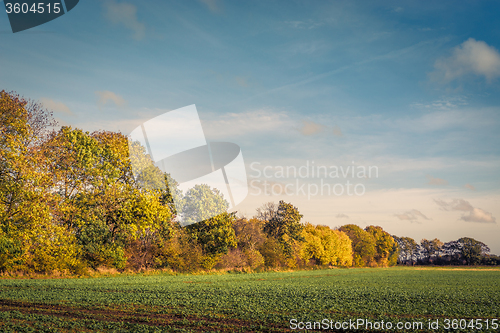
{"x":285,"y":227}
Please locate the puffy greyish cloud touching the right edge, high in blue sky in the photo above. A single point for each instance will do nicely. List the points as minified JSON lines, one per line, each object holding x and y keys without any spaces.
{"x":471,"y":57}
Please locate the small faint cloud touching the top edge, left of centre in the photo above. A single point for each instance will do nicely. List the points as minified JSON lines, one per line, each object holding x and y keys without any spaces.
{"x":124,"y":14}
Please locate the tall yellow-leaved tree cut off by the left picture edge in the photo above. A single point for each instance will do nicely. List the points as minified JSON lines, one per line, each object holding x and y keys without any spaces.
{"x":30,"y":238}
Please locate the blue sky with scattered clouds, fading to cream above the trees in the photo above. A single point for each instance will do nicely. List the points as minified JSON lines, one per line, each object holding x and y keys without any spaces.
{"x":410,"y":90}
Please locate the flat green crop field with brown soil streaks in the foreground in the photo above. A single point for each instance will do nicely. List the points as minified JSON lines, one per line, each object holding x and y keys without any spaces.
{"x":260,"y":302}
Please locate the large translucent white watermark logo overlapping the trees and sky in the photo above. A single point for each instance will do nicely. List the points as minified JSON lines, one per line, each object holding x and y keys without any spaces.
{"x":175,"y":144}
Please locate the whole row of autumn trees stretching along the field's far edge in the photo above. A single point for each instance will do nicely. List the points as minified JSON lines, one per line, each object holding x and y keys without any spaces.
{"x":69,"y":202}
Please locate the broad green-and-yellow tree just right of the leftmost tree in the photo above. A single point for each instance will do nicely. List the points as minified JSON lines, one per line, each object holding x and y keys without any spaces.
{"x":99,"y":199}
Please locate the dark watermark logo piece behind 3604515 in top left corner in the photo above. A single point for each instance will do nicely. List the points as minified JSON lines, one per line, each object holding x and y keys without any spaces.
{"x":26,"y":14}
